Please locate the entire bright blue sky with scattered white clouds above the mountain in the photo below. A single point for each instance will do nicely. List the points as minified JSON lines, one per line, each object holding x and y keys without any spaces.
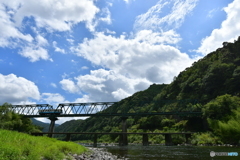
{"x":60,"y":51}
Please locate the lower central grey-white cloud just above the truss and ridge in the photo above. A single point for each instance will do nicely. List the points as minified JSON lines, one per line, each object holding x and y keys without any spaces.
{"x":106,"y":85}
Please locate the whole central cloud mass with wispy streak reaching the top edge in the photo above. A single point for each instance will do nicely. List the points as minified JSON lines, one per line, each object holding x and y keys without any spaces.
{"x":134,"y":62}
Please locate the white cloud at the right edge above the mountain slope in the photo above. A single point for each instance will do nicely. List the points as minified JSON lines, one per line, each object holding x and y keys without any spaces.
{"x":229,"y":30}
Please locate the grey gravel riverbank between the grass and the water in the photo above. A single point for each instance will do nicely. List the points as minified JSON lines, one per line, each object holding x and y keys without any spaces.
{"x":96,"y":154}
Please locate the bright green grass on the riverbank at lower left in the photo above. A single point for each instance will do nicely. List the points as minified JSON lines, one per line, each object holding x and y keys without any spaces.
{"x":20,"y":146}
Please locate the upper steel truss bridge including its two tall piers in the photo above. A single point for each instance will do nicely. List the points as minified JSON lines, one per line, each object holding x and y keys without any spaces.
{"x":105,"y":109}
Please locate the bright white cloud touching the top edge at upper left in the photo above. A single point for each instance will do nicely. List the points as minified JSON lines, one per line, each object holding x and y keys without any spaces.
{"x":51,"y":14}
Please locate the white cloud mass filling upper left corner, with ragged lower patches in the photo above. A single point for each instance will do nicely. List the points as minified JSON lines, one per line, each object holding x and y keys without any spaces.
{"x":51,"y":15}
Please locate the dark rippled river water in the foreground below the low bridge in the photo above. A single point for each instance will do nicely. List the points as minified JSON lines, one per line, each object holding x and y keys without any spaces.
{"x":159,"y":152}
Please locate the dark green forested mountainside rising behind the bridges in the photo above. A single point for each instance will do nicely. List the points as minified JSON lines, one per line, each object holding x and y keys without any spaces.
{"x":213,"y":80}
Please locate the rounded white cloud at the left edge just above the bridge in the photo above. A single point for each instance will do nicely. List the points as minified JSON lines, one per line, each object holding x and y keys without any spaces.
{"x":17,"y":90}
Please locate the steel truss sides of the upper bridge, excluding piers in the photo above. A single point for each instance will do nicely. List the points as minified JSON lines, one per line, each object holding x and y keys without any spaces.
{"x":142,"y":108}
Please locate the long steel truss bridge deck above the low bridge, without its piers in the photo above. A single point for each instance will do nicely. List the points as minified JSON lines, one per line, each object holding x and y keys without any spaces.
{"x":96,"y":109}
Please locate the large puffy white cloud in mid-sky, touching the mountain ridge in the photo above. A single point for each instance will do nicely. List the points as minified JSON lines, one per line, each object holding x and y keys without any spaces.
{"x":135,"y":57}
